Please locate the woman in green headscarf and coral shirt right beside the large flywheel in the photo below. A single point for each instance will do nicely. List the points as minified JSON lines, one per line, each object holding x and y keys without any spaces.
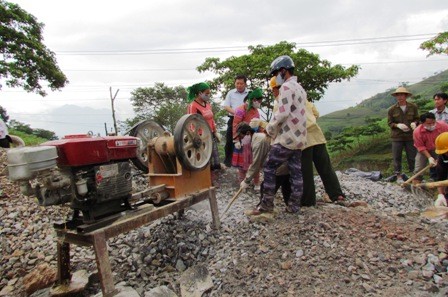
{"x":199,"y":99}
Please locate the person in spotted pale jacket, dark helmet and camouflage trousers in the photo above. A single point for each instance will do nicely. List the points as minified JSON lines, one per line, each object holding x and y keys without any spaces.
{"x":287,"y":128}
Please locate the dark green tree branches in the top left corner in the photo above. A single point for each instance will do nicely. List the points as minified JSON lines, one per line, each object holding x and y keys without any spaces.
{"x":25,"y":61}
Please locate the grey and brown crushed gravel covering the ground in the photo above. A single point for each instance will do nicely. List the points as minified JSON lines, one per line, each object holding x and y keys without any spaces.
{"x":385,"y":249}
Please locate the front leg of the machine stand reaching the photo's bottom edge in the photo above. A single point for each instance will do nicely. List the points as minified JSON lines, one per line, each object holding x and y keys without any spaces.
{"x":103,"y":264}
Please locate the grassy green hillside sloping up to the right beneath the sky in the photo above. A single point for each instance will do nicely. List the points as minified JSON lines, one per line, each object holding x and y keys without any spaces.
{"x":377,"y":105}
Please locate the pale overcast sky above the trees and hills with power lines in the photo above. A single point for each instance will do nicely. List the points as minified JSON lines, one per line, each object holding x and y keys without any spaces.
{"x":105,"y":46}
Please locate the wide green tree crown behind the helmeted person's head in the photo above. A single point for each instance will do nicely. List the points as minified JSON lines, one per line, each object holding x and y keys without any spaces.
{"x":314,"y":73}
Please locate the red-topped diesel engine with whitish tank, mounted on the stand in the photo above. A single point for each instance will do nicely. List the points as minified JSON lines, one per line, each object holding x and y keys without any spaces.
{"x":92,"y":173}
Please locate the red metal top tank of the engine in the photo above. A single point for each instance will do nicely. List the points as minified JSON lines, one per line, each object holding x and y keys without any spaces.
{"x":82,"y":150}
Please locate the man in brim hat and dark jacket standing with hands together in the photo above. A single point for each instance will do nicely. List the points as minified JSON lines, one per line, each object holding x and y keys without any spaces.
{"x":402,"y":118}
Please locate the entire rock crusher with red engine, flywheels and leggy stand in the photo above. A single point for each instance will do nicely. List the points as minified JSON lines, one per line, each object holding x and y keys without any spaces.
{"x":94,"y":175}
